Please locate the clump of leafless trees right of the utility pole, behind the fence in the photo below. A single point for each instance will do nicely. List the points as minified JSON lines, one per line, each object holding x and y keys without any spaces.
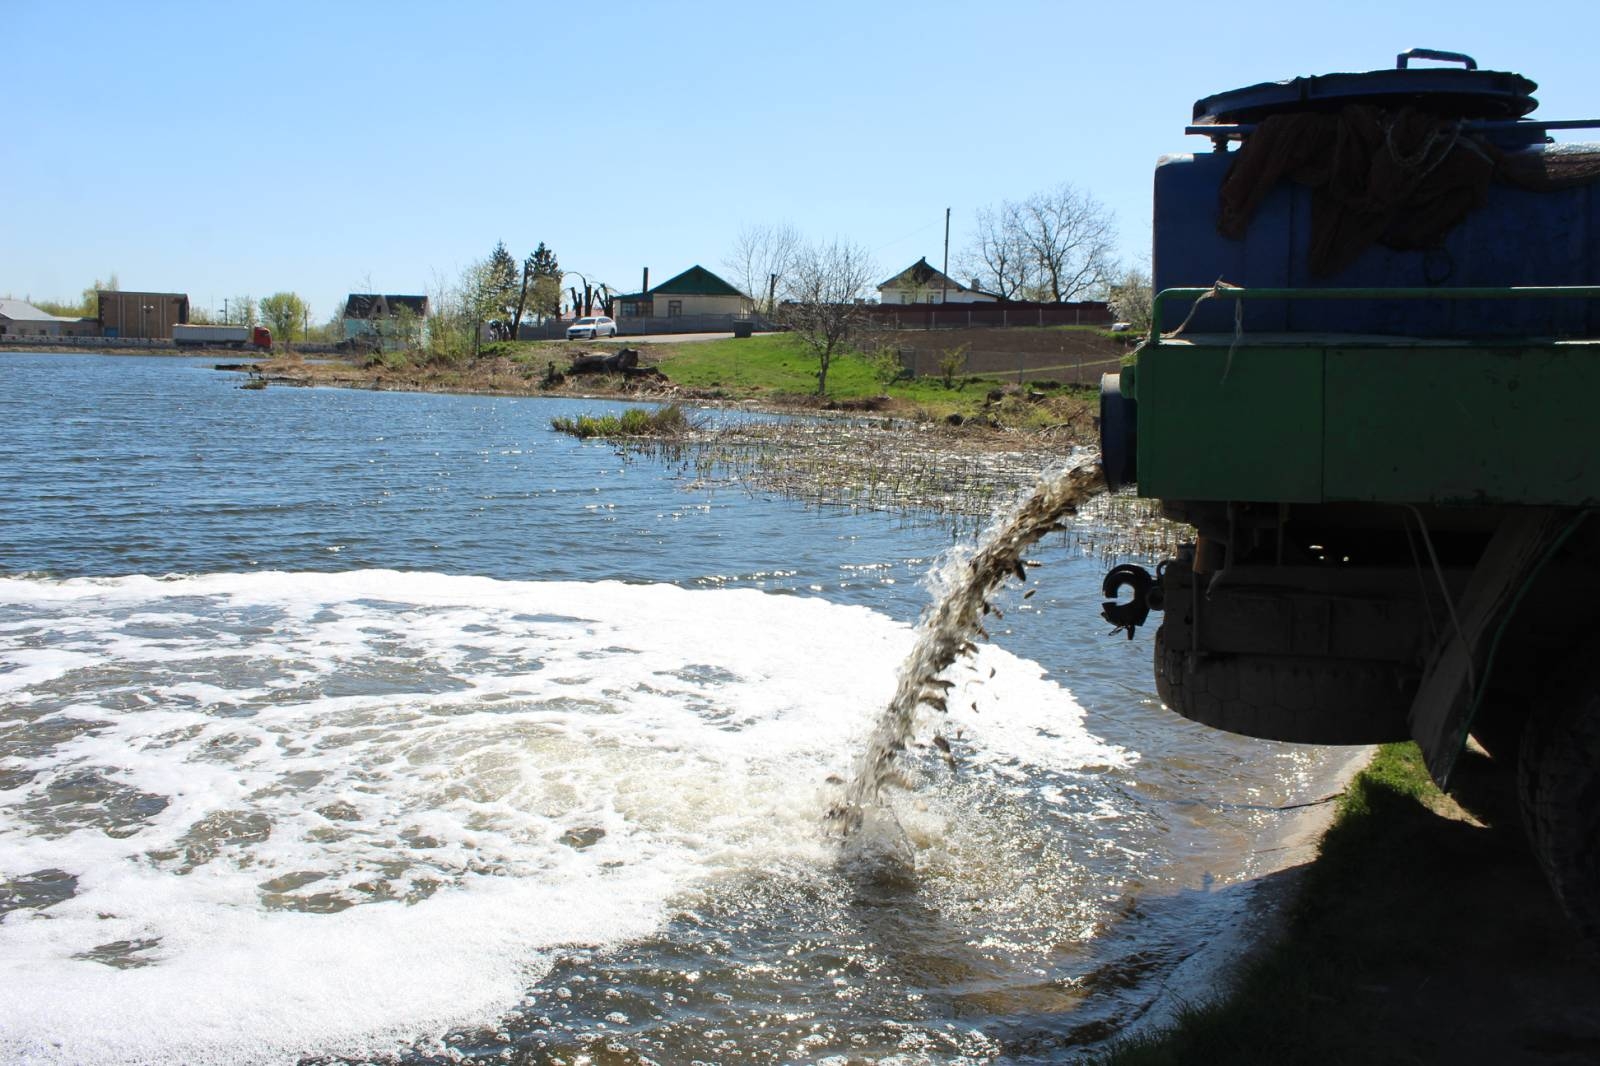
{"x":1055,"y":246}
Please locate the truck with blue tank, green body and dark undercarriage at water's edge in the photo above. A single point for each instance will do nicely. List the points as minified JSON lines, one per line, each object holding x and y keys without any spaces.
{"x":1393,"y":476}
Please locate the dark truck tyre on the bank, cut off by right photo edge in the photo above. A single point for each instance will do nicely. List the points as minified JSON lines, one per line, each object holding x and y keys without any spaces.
{"x":1559,"y":785}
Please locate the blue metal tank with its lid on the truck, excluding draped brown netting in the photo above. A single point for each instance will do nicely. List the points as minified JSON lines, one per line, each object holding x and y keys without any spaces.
{"x":1516,"y":238}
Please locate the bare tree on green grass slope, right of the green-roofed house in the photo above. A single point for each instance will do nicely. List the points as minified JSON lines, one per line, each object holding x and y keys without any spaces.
{"x":825,"y":300}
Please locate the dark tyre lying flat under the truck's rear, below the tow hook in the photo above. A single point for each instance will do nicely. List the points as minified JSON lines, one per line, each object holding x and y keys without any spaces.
{"x":1305,"y":700}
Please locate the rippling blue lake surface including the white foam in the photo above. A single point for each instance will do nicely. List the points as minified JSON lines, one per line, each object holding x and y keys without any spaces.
{"x":348,"y":726}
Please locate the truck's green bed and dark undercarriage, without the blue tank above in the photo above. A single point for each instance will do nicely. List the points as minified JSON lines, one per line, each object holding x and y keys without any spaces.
{"x":1394,"y":540}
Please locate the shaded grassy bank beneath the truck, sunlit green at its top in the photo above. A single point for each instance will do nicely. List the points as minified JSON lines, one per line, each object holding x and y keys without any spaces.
{"x":1422,"y":934}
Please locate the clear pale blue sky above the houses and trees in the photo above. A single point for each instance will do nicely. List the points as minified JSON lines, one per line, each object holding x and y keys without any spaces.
{"x":326,"y":148}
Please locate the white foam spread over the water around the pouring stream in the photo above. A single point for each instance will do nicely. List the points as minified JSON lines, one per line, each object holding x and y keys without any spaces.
{"x":337,"y":814}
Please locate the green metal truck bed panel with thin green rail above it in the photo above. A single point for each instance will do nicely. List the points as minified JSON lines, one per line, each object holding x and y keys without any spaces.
{"x":1327,"y":419}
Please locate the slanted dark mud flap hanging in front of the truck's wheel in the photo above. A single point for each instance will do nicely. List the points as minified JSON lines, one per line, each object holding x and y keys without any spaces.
{"x":1446,"y":700}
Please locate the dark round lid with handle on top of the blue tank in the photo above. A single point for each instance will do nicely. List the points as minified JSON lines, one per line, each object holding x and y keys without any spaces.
{"x":1457,"y":92}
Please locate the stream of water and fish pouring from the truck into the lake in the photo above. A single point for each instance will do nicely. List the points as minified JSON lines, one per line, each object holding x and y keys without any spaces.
{"x":943,"y":636}
